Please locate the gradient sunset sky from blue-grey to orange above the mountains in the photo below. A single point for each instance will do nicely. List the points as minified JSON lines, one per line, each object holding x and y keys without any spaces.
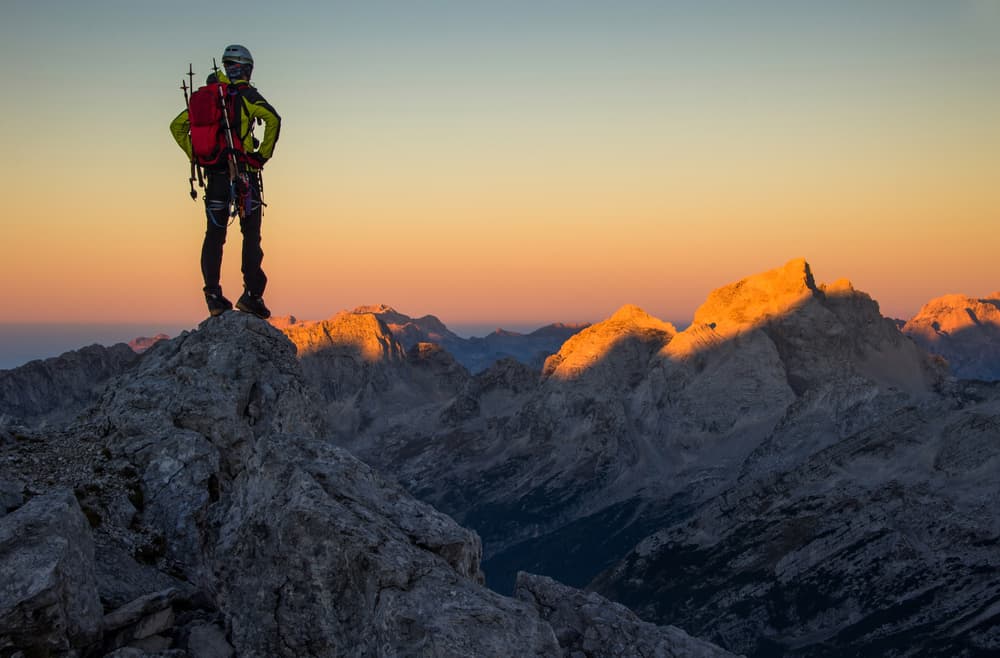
{"x":508,"y":162}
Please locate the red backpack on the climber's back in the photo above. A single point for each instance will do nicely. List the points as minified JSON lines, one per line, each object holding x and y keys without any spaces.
{"x":207,"y":112}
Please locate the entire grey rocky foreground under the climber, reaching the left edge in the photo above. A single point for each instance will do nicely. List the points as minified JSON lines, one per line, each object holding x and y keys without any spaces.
{"x":200,"y":509}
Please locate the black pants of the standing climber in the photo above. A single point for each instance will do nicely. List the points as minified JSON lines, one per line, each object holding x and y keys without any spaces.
{"x":217,"y":196}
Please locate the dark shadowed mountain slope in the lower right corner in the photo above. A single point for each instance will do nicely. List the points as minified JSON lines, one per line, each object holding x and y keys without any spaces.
{"x":882,"y":544}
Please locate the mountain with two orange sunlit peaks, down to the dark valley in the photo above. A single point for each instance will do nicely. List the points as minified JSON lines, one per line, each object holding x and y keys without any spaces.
{"x":632,"y":424}
